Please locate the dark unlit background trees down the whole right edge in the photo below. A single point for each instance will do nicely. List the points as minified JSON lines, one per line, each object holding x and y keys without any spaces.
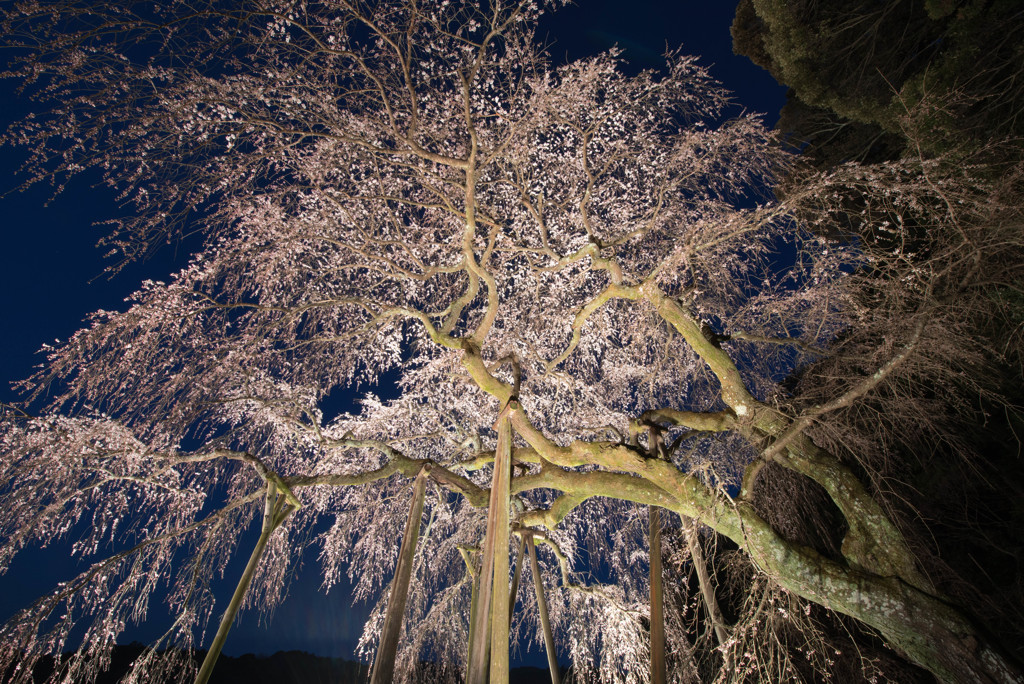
{"x":932,"y":81}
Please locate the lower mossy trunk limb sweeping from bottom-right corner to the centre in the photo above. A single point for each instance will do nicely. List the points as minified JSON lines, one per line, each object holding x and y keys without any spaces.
{"x":926,"y":628}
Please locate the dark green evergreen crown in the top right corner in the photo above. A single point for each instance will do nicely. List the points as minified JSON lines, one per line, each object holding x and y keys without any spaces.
{"x":859,"y":70}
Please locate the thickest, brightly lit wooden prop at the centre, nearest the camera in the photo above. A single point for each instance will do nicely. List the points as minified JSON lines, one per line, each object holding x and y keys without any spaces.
{"x":493,"y":616}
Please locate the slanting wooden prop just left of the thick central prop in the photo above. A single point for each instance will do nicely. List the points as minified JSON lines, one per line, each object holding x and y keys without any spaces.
{"x":383,"y":671}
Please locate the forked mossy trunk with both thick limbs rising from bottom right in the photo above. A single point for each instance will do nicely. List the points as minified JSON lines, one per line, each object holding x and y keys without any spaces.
{"x":877,"y":582}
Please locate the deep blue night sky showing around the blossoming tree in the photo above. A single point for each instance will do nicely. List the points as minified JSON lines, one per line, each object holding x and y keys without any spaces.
{"x":52,"y":277}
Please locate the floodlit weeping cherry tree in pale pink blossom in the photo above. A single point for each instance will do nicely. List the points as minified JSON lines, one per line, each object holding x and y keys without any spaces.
{"x":579,"y":280}
